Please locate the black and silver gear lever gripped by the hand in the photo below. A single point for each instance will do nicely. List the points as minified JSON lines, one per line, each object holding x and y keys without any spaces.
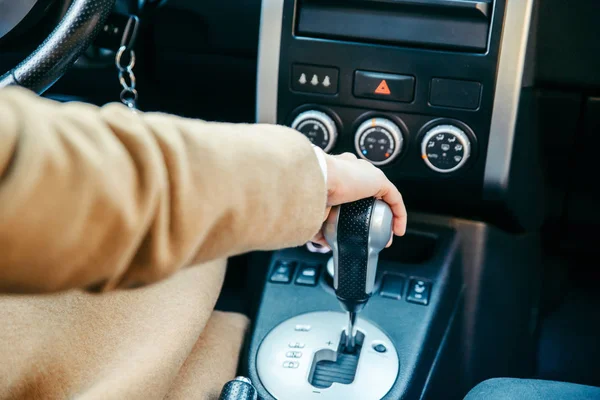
{"x":357,"y":232}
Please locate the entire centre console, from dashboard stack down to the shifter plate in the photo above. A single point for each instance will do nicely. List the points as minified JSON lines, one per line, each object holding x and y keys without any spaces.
{"x":433,"y":92}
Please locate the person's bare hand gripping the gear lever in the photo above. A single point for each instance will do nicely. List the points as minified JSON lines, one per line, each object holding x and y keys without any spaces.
{"x":350,"y":179}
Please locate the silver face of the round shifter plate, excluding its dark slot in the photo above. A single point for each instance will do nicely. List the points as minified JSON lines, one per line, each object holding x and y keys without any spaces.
{"x":375,"y":375}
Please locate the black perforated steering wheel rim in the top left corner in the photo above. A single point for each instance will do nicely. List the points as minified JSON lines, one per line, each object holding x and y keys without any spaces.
{"x":75,"y":32}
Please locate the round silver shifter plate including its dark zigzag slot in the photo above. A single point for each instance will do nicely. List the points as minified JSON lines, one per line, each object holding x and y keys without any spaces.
{"x":304,"y":357}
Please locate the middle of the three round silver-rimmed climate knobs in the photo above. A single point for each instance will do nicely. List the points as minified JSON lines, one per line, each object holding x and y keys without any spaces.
{"x":379,"y":141}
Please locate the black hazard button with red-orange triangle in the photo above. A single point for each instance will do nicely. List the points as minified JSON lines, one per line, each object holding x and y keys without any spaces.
{"x":377,"y":85}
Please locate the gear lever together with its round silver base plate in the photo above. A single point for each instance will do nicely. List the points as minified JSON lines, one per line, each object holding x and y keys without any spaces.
{"x":336,"y":355}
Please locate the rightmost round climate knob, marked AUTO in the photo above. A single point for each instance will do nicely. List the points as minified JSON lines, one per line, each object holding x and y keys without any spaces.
{"x":445,"y":148}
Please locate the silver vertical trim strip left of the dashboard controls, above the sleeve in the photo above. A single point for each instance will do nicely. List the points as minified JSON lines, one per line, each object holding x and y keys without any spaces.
{"x":269,"y":44}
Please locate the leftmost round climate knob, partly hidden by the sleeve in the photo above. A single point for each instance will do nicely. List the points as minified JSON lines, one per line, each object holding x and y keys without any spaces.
{"x":318,"y":127}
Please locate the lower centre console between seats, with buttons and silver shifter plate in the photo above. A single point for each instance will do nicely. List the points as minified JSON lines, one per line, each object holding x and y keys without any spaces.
{"x":453,"y":305}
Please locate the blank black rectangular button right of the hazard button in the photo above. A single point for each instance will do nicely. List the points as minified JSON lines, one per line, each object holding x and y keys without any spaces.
{"x":455,"y":93}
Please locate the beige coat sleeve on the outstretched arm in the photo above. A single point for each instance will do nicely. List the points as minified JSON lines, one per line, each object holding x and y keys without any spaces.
{"x":106,"y":198}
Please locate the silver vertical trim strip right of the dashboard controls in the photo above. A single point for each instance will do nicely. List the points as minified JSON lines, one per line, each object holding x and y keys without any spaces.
{"x":511,"y":65}
